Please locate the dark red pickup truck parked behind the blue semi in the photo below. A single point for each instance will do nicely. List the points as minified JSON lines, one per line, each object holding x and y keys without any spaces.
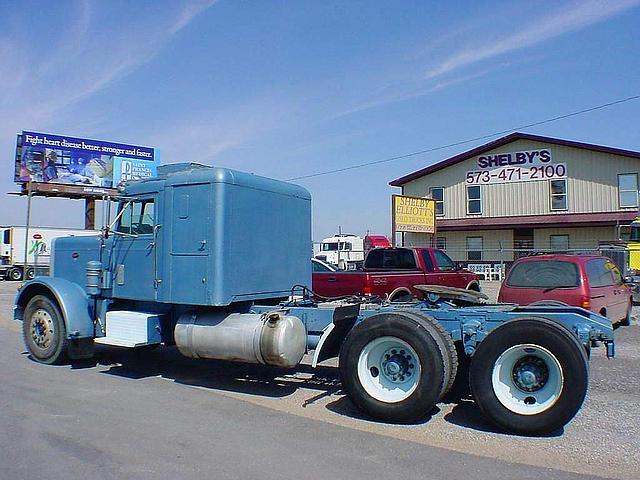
{"x":394,"y":272}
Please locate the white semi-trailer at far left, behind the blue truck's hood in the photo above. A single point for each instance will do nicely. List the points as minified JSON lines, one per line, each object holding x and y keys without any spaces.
{"x":12,"y":245}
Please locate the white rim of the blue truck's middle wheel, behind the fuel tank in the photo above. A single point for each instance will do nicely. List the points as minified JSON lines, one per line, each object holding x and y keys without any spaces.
{"x":389,"y":369}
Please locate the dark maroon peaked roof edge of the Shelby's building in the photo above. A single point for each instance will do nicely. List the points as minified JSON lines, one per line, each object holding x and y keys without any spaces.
{"x":512,"y":137}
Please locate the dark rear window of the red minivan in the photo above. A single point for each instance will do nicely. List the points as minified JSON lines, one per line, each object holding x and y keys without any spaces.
{"x":544,"y":274}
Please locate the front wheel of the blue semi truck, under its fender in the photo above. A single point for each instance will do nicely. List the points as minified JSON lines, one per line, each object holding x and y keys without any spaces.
{"x":44,"y":331}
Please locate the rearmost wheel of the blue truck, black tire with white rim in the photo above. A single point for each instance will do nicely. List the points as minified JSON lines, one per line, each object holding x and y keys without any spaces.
{"x":530,"y":376}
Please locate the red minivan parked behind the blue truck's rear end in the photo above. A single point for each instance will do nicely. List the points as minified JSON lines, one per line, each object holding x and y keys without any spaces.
{"x":592,"y":282}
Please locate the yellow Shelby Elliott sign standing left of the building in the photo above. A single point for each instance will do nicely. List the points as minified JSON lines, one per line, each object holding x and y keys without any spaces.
{"x":413,"y":214}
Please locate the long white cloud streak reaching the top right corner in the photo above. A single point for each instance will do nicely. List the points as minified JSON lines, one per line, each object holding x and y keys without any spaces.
{"x":566,"y":19}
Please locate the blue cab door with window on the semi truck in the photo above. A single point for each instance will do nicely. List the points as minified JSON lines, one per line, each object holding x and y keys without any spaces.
{"x":136,"y":245}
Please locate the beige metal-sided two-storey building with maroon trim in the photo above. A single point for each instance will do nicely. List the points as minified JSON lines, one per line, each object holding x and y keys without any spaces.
{"x":574,"y":211}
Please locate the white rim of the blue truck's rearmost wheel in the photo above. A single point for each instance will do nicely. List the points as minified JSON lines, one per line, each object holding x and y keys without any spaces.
{"x":527,"y":379}
